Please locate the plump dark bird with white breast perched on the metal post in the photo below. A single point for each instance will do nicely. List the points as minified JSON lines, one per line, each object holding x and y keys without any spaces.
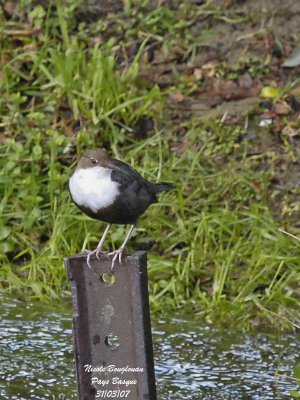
{"x":111,"y":191}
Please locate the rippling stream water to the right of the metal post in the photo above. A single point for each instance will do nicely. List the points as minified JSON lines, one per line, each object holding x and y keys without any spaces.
{"x":203,"y":362}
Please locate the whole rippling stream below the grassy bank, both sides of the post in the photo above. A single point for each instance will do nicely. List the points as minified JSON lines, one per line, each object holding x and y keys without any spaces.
{"x":193,"y":361}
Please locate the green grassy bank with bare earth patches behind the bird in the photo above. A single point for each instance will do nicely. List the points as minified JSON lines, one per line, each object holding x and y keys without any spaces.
{"x":67,"y":85}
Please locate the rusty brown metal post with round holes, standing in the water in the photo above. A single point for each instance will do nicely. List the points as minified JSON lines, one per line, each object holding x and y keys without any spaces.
{"x":112,"y":328}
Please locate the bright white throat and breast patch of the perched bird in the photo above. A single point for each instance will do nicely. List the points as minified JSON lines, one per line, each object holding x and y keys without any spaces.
{"x":93,"y":187}
